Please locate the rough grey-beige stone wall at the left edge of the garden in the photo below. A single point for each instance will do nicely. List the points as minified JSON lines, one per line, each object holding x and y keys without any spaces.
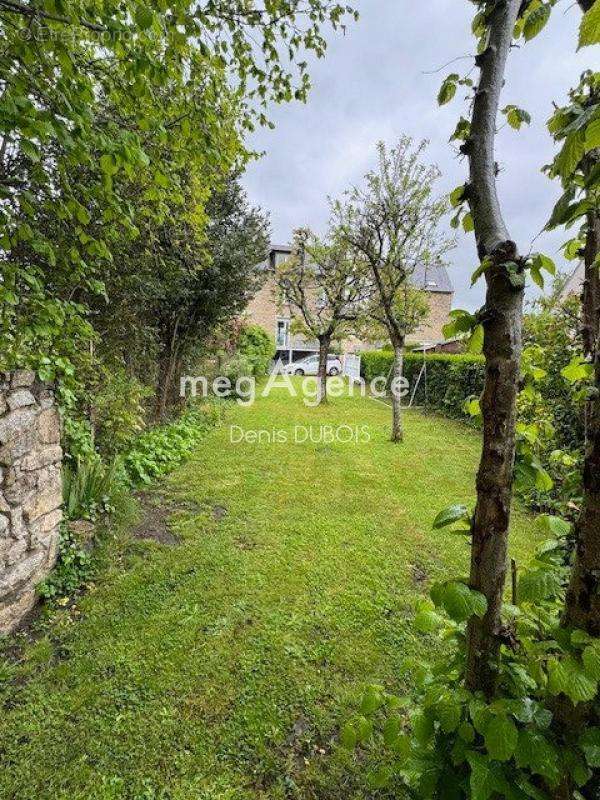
{"x":30,"y":491}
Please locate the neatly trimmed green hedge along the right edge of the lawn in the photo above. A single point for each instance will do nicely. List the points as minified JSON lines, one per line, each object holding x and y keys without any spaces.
{"x":450,"y":378}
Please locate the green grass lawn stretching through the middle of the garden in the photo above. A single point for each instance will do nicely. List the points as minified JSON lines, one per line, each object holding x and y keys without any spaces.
{"x":221,"y":668}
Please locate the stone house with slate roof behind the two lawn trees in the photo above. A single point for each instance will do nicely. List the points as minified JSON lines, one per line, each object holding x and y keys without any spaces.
{"x":266,"y":309}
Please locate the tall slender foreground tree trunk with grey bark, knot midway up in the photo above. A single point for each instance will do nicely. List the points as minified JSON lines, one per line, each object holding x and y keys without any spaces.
{"x":502,"y":321}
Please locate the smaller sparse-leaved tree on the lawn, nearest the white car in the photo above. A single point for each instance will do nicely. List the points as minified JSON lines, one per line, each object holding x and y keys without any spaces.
{"x":325,"y":282}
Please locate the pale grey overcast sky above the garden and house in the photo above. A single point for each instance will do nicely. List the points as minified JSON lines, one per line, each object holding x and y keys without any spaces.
{"x":373,"y":85}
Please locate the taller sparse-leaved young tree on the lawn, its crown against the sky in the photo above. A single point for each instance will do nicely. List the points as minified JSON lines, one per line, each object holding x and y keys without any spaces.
{"x":393,"y":221}
